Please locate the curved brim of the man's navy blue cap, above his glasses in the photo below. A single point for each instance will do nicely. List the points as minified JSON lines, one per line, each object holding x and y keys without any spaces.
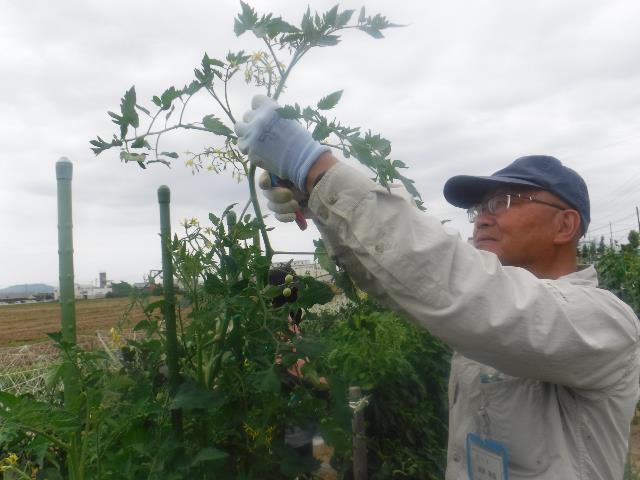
{"x":465,"y":191}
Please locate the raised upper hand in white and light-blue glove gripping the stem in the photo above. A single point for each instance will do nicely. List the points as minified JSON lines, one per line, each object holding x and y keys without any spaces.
{"x":276,"y":144}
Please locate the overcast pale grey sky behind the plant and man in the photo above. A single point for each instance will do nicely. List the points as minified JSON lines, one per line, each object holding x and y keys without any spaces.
{"x":463,"y":88}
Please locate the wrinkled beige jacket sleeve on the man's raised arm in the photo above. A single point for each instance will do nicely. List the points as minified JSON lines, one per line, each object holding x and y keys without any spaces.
{"x":552,"y":330}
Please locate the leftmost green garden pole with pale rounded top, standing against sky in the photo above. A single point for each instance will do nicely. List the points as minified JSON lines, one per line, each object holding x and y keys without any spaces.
{"x":64,"y":174}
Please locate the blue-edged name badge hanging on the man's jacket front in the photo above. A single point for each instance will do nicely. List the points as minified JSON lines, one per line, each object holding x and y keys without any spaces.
{"x":486,"y":459}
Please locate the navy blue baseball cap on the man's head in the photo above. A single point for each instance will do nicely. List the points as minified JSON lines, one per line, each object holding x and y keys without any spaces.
{"x":539,"y":171}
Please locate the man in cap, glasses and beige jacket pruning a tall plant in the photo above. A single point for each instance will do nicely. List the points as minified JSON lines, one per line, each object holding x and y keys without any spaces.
{"x":545,"y":378}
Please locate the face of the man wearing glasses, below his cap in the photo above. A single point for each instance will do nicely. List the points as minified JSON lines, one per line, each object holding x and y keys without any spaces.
{"x":521,"y":235}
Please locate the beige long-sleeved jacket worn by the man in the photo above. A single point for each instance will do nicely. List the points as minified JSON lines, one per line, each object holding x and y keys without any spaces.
{"x":549,"y":368}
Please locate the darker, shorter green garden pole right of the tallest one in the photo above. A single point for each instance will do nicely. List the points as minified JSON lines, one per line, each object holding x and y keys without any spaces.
{"x":164,"y":200}
